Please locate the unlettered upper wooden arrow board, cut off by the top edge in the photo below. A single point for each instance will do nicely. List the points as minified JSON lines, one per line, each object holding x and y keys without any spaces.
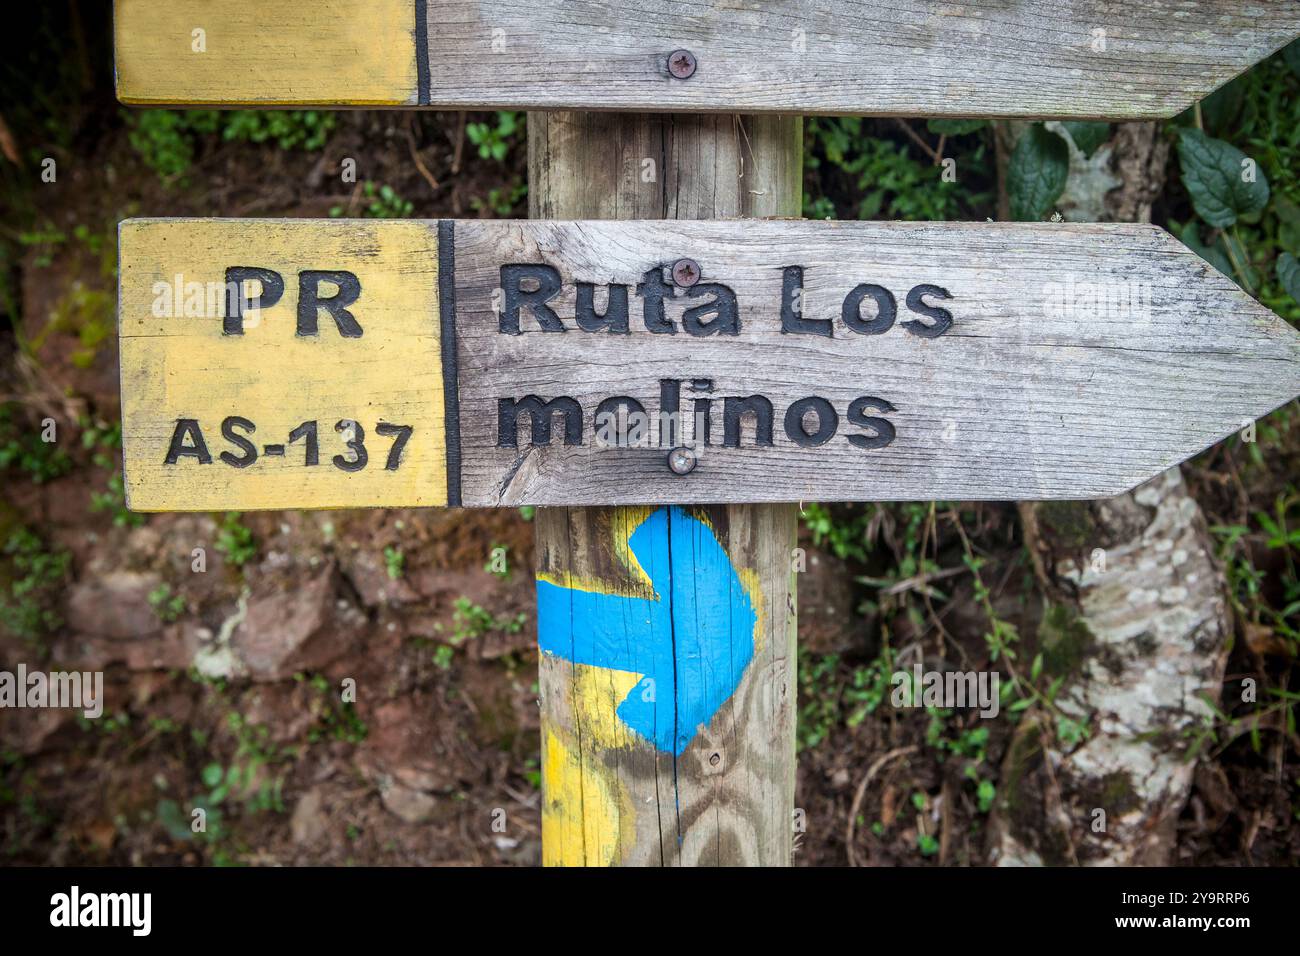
{"x":1084,"y":59}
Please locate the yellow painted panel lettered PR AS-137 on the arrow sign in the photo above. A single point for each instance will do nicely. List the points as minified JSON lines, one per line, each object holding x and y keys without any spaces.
{"x":179,"y":365}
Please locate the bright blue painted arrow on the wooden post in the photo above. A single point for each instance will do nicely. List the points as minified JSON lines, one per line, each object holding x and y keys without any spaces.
{"x":691,"y":642}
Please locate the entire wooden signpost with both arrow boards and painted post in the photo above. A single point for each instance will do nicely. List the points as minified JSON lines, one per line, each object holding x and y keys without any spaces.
{"x":658,"y":382}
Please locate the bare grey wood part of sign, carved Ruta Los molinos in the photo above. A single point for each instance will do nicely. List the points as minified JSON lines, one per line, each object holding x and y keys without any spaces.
{"x":1033,"y":393}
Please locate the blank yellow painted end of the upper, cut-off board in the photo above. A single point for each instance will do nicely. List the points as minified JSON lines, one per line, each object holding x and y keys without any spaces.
{"x":344,"y":53}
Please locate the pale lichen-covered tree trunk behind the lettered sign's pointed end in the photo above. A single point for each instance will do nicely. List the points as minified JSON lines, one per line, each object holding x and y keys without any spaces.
{"x":1136,"y":626}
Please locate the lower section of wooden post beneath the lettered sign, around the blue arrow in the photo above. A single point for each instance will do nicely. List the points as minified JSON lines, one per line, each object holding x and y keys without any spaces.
{"x":610,"y":795}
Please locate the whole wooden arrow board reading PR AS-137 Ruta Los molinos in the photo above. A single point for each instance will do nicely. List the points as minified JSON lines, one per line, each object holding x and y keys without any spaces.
{"x":305,"y":364}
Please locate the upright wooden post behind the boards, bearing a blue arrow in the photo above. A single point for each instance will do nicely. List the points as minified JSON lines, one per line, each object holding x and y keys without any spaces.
{"x":681,"y":751}
